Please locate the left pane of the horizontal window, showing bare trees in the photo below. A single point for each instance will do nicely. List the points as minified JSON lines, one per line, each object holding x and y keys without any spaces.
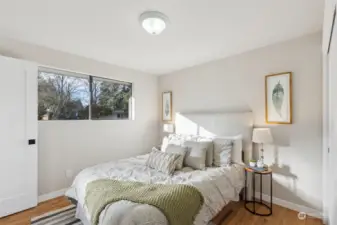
{"x":62,"y":97}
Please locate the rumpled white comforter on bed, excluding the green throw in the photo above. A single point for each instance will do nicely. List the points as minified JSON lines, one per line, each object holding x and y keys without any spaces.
{"x":218,"y":185}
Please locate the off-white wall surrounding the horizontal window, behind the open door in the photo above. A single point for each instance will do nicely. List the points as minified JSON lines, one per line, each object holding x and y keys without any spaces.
{"x":75,"y":145}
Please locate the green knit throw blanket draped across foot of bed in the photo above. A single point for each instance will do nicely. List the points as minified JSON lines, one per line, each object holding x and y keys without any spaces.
{"x":180,"y":203}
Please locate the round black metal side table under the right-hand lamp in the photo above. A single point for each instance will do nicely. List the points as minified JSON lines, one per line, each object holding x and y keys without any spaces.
{"x":255,"y":201}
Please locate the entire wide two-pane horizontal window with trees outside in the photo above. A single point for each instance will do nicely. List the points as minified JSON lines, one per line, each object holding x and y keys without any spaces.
{"x":69,"y":96}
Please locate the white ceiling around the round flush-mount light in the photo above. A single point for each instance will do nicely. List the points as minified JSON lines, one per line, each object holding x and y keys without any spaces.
{"x":199,"y":30}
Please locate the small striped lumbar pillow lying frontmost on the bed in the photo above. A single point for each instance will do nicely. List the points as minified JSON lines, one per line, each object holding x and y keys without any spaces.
{"x":162,"y":161}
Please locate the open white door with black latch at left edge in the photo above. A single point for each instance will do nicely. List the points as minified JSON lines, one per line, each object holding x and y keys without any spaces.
{"x":18,"y":124}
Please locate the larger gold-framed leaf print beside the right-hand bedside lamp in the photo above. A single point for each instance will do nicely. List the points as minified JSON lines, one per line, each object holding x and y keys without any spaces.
{"x":278,"y":98}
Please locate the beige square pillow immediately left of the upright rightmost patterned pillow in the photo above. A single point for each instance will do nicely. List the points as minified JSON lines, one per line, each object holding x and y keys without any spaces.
{"x":196,"y":154}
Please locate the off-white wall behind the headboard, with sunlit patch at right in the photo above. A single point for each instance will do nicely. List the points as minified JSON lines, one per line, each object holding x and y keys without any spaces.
{"x":238,"y":83}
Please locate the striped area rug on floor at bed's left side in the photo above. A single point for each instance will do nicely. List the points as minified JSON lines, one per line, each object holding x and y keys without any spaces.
{"x":63,"y":216}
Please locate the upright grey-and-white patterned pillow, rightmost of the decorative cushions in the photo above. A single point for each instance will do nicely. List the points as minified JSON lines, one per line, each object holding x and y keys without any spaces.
{"x":222,"y":151}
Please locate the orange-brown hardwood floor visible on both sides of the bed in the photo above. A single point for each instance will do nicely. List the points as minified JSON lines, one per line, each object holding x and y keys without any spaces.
{"x":281,"y":216}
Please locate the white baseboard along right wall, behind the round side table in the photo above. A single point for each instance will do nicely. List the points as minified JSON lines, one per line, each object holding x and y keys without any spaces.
{"x":293,"y":206}
